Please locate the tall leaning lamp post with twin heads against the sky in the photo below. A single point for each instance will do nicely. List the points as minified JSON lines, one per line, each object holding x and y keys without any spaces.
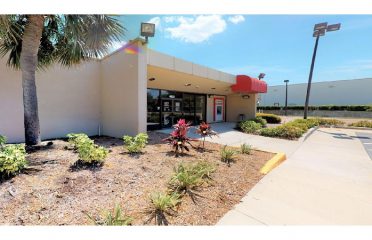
{"x":319,"y":30}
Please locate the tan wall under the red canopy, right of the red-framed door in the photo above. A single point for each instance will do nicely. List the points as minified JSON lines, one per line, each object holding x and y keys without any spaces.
{"x":237,"y":105}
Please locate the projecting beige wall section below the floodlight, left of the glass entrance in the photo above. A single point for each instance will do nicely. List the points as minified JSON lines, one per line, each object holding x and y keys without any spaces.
{"x":124,"y":97}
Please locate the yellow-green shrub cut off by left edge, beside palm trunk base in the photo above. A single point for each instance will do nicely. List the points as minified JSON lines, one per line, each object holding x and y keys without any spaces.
{"x":12,"y":159}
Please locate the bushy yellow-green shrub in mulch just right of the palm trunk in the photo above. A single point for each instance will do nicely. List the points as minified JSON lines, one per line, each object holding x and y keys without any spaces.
{"x":89,"y":153}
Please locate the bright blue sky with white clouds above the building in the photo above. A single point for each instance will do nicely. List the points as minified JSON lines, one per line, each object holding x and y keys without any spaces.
{"x":279,"y":45}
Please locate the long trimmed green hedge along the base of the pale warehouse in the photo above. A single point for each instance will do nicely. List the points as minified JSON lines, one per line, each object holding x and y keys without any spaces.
{"x":362,"y":108}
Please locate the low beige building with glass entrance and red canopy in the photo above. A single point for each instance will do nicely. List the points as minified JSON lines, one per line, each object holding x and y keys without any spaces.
{"x":126,"y":93}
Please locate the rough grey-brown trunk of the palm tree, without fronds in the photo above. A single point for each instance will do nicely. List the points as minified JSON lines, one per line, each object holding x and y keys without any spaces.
{"x":28,"y":61}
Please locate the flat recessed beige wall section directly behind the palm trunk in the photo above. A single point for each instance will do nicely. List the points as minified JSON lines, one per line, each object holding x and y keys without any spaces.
{"x":68,"y":101}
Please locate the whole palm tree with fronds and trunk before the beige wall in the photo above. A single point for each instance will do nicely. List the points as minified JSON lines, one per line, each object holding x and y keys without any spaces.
{"x":34,"y":42}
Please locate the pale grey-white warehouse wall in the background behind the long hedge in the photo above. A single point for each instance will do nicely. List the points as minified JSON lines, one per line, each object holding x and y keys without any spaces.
{"x":345,"y":92}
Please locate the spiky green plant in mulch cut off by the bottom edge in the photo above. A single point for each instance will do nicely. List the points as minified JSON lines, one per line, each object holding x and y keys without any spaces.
{"x":112,"y":218}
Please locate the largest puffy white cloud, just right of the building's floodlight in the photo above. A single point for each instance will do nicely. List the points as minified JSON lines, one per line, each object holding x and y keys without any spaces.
{"x":196,"y":29}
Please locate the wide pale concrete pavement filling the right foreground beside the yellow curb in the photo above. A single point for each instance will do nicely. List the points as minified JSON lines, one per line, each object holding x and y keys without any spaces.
{"x":326,"y":180}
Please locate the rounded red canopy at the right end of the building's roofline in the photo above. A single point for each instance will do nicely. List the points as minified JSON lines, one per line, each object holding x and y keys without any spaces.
{"x":247,"y":84}
